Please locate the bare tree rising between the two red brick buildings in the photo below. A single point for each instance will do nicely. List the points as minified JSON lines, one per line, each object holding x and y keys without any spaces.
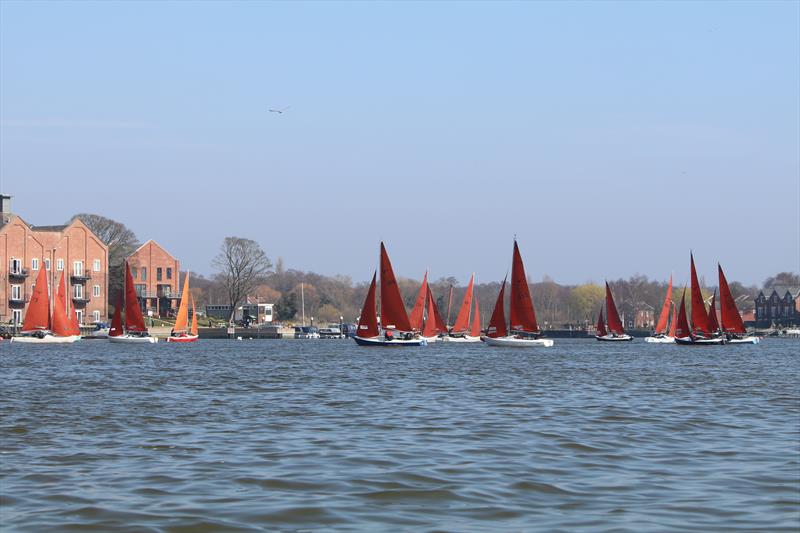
{"x":121,"y":242}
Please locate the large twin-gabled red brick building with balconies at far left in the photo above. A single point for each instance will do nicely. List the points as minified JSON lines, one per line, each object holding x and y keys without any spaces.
{"x":70,"y":248}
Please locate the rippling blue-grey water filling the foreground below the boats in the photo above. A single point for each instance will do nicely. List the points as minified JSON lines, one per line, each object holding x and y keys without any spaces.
{"x":323,"y":435}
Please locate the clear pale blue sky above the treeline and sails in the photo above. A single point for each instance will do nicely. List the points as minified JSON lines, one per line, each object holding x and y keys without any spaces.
{"x":610,"y":138}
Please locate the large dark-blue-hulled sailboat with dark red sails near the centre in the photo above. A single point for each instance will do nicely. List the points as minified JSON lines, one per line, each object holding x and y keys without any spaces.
{"x":395,"y":328}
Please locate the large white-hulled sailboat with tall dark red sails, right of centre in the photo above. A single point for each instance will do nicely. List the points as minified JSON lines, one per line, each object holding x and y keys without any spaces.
{"x":523,"y":330}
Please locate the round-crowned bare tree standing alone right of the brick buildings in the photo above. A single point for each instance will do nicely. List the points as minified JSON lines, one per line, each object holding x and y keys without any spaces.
{"x":241,"y":266}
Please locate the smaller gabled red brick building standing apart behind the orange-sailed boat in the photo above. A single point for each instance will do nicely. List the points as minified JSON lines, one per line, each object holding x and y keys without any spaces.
{"x":155,"y":275}
